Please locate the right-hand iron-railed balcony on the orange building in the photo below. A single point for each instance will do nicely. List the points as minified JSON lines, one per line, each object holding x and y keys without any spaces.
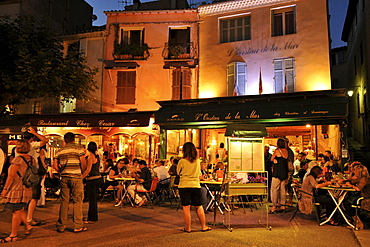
{"x":185,"y":51}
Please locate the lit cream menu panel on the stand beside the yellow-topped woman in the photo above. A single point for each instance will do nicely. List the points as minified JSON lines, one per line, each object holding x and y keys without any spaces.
{"x":246,"y":154}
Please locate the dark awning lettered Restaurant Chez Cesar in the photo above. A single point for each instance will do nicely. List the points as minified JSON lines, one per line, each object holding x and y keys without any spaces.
{"x":116,"y":119}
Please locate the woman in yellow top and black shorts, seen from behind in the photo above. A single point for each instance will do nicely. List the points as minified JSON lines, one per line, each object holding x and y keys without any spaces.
{"x":189,"y":186}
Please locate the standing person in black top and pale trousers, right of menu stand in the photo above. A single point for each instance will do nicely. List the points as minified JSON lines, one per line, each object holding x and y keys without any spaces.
{"x":279,"y":177}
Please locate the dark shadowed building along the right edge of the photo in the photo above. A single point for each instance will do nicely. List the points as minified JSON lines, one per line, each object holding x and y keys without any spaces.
{"x":356,"y":31}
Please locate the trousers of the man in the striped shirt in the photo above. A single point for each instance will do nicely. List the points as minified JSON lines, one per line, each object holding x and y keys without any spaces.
{"x":71,"y":189}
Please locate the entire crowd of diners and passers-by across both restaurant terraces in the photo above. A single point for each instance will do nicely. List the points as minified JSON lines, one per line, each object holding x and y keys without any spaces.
{"x":88,"y":173}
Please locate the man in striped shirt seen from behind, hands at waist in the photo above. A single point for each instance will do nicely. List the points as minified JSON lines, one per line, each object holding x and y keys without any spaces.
{"x":70,"y":162}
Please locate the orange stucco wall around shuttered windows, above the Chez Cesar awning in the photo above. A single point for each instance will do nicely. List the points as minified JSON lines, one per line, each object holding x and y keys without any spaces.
{"x":153,"y":82}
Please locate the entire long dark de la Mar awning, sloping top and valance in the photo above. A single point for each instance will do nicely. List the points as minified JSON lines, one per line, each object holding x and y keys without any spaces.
{"x":315,"y":107}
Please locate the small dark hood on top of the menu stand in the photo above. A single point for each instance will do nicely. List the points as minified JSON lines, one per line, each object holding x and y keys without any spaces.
{"x":246,"y":130}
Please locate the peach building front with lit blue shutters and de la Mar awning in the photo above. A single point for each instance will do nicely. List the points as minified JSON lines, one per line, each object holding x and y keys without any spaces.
{"x":260,"y":62}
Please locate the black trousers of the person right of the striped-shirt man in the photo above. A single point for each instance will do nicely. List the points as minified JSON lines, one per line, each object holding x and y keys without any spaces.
{"x":92,"y":188}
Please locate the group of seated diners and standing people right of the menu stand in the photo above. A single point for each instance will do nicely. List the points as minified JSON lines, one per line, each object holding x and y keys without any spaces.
{"x":311,"y":174}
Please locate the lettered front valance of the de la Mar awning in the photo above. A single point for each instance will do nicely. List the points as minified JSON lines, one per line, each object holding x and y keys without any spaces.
{"x":320,"y":108}
